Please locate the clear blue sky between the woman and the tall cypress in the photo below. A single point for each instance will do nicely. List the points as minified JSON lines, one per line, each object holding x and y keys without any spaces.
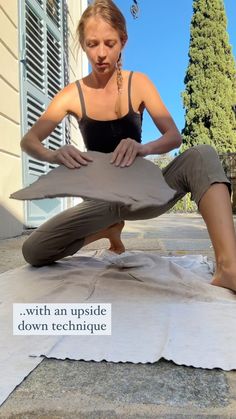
{"x":158,"y":46}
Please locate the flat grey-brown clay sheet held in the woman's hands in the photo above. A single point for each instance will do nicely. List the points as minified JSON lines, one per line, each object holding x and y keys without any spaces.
{"x":140,"y":185}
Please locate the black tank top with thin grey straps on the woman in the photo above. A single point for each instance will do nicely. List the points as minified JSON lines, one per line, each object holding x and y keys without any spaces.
{"x":104,"y":136}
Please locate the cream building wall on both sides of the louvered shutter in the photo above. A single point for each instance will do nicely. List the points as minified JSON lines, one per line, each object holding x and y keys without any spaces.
{"x":12,"y":211}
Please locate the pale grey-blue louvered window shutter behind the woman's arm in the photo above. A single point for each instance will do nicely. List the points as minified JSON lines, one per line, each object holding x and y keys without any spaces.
{"x":44,"y":71}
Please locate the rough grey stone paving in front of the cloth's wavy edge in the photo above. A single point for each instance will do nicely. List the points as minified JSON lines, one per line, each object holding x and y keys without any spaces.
{"x":120,"y":390}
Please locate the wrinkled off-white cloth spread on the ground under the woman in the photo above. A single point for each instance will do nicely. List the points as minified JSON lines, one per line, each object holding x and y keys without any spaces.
{"x":161,"y":307}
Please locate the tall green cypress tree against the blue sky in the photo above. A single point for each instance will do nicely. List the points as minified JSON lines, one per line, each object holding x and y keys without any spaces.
{"x":210,"y":94}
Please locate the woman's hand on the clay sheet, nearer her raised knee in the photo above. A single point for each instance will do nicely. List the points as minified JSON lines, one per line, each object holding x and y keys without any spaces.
{"x":126,"y":152}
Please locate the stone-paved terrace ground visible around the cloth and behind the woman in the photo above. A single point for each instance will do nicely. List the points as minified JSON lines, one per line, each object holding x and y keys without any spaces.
{"x":78,"y":389}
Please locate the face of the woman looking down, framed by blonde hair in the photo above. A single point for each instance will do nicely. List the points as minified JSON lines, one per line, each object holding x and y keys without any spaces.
{"x":102,"y":45}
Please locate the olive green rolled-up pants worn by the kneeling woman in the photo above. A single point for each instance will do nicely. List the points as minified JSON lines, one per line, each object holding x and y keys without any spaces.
{"x":193,"y":171}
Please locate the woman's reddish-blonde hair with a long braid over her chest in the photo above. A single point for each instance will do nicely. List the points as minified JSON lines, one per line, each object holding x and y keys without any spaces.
{"x":108,"y":11}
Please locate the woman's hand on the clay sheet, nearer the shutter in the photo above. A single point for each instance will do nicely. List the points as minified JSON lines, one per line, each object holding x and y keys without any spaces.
{"x":70,"y":156}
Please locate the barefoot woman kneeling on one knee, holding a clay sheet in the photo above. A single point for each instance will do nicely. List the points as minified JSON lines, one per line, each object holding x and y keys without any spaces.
{"x":109,"y":103}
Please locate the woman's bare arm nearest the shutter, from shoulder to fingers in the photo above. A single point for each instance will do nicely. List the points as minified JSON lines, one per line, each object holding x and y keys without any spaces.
{"x":31,"y":143}
